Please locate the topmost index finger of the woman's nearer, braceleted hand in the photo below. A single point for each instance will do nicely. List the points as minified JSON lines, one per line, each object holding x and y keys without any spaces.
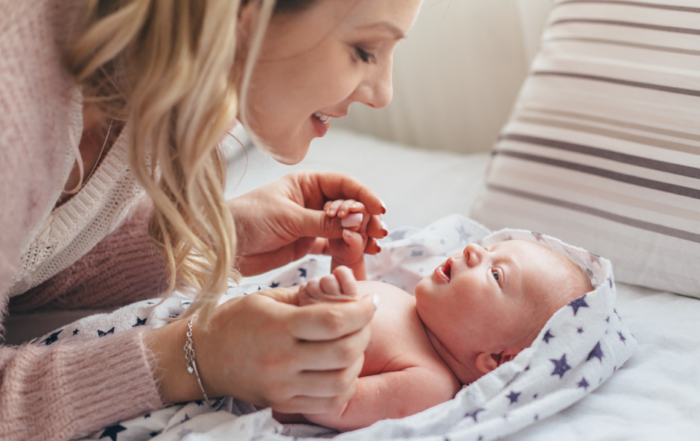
{"x":330,"y":321}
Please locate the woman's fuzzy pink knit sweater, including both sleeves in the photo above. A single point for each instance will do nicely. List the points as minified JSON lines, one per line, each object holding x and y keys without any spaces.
{"x":64,"y":390}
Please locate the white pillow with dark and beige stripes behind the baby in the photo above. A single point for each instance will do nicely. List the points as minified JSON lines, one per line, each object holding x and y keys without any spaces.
{"x":603,"y":147}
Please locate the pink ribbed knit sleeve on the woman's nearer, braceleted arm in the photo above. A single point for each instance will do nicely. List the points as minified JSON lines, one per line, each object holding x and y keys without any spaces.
{"x":71,"y":389}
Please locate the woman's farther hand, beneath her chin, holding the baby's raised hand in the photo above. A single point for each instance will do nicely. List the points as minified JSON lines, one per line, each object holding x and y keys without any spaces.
{"x":282,"y":221}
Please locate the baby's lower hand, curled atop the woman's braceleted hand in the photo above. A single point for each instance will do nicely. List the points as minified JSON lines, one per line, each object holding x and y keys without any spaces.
{"x":340,"y":286}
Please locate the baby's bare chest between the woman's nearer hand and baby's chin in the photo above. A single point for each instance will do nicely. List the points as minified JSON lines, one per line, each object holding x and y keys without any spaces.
{"x":399,"y":339}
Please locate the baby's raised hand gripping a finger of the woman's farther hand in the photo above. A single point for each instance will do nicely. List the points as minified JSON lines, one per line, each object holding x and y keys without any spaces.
{"x":348,"y":250}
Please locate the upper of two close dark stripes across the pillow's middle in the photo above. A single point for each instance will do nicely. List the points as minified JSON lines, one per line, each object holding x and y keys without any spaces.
{"x":667,"y":167}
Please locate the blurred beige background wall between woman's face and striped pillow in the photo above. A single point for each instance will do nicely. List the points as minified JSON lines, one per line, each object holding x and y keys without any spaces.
{"x":457,"y":74}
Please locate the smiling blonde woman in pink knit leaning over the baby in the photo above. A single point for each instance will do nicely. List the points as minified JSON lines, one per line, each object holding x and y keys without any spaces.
{"x":157,"y":84}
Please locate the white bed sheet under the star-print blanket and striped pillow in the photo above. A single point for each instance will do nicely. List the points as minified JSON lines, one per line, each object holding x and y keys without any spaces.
{"x":655,"y":396}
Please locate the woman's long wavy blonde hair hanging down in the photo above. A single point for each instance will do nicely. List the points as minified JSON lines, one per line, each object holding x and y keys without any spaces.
{"x":171,"y":69}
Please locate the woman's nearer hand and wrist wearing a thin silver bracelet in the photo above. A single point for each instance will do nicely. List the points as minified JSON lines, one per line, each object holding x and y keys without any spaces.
{"x":264,"y":349}
